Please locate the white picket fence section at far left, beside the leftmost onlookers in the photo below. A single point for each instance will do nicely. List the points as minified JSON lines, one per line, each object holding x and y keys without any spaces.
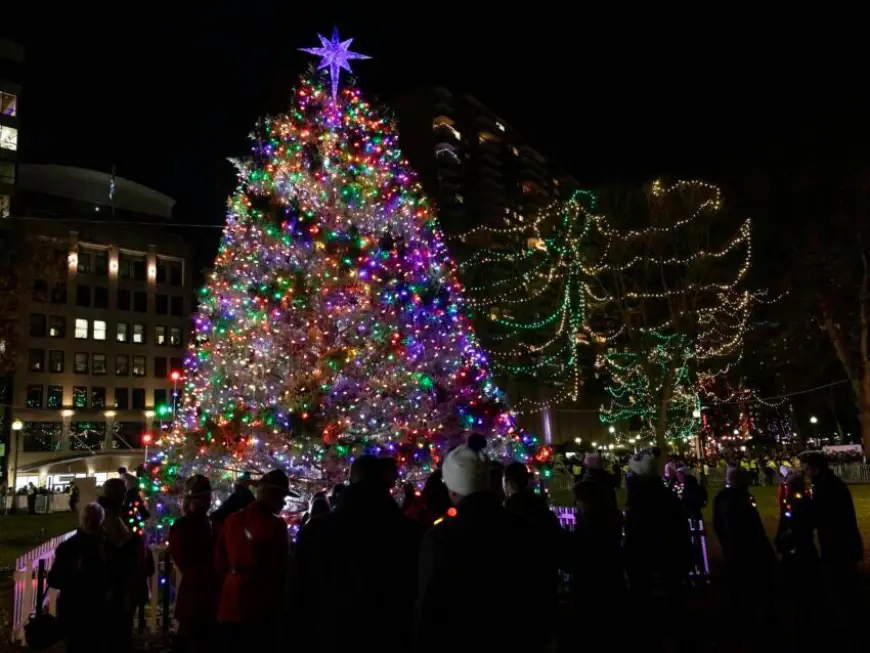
{"x":29,"y":578}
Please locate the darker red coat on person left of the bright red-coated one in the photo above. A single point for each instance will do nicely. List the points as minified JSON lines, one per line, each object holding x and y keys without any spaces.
{"x":192,"y":545}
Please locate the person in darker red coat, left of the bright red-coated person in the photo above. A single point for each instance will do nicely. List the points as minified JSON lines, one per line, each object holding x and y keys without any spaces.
{"x":191,"y":544}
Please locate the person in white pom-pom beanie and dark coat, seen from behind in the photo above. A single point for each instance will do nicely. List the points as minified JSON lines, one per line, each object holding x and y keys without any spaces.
{"x":478,"y":556}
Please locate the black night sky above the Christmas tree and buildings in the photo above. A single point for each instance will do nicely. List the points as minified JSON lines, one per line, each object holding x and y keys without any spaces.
{"x":167,"y":96}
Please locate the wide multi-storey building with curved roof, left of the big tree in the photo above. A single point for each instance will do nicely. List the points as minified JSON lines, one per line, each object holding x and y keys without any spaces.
{"x":103,"y":320}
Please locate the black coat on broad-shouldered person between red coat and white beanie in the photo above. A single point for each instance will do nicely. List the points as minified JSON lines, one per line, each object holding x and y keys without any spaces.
{"x":351,"y":582}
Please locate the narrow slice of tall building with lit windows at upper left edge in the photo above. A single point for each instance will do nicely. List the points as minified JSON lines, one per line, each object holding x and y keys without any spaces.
{"x":11,"y":61}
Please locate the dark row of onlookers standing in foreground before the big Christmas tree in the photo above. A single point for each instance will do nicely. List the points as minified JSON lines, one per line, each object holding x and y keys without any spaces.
{"x":475,"y":559}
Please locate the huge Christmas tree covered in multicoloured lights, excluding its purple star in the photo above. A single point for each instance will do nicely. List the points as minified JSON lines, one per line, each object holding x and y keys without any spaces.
{"x":332,"y":323}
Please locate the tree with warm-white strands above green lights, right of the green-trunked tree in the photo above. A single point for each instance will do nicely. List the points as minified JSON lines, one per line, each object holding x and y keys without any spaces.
{"x":674,"y":294}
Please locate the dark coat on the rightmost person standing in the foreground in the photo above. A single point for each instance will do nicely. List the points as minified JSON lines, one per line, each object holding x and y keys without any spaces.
{"x":834,"y":518}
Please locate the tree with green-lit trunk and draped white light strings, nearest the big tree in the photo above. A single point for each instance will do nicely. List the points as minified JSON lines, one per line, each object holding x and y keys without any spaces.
{"x":538,"y":310}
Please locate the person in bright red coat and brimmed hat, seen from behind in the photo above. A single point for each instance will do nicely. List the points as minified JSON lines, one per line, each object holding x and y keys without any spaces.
{"x":252,"y":556}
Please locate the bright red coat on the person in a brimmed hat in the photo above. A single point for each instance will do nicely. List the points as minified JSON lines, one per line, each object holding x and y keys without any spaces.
{"x":251,"y":555}
